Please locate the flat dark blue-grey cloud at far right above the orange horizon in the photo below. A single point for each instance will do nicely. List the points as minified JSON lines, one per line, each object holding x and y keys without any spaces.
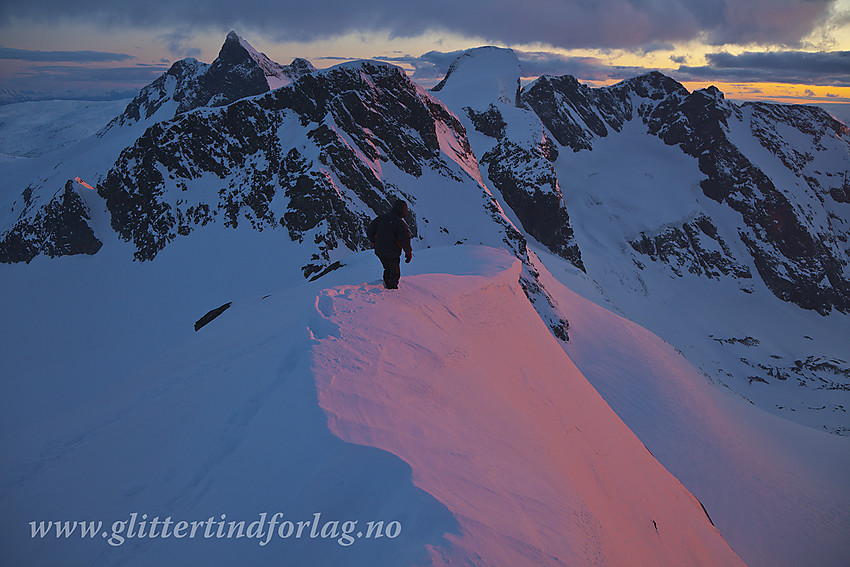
{"x":830,"y":68}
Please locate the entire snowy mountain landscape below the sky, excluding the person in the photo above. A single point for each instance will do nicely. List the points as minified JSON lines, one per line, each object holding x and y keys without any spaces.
{"x":244,"y":184}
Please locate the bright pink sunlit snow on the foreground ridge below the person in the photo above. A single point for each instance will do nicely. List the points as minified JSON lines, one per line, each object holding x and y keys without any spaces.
{"x":459,"y":377}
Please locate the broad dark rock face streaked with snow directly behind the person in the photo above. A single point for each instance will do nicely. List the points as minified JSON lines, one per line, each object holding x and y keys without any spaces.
{"x":367,"y":108}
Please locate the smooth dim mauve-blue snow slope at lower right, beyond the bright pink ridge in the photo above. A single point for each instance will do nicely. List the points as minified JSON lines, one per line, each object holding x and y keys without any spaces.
{"x":776,"y":490}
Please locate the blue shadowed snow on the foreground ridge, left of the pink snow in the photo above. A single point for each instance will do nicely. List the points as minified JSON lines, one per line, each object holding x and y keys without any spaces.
{"x":224,"y":421}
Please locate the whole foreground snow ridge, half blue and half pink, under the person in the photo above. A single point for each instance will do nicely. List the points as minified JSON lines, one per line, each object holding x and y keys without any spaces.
{"x":483,"y":445}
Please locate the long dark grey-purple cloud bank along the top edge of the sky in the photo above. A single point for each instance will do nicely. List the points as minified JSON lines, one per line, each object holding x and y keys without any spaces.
{"x":564,"y":23}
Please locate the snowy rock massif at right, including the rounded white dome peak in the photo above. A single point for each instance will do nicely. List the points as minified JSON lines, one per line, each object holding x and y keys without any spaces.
{"x":710,"y":223}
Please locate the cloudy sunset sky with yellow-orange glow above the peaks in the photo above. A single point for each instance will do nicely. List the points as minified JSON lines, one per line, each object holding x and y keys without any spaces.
{"x":779,"y":50}
